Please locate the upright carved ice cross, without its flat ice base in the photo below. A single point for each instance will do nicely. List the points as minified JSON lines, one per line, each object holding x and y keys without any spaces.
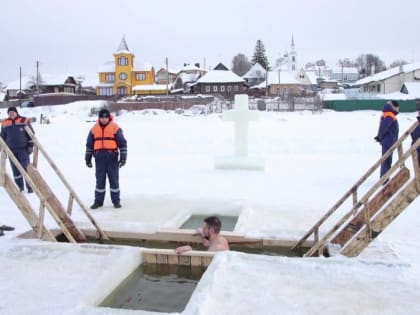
{"x":241,"y":115}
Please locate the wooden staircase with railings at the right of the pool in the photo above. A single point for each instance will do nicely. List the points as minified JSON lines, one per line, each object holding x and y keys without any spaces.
{"x":368,"y":216}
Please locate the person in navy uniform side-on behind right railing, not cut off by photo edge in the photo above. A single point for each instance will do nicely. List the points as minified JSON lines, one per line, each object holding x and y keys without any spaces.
{"x":388,"y":132}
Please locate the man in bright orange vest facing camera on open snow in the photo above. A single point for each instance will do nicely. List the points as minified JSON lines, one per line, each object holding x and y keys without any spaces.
{"x":107,"y":144}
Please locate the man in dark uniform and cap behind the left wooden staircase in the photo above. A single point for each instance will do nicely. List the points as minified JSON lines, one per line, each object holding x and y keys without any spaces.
{"x":20,"y":143}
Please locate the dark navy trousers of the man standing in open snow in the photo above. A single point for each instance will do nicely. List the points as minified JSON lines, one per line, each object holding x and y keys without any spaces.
{"x":106,"y":163}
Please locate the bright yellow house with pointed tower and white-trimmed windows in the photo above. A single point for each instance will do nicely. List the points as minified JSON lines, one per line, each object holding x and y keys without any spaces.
{"x":121,"y":76}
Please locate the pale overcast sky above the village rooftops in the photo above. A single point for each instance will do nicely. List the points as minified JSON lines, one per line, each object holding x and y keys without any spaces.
{"x":77,"y":36}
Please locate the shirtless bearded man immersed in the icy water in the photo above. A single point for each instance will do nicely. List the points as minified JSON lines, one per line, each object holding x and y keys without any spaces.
{"x":211,"y":238}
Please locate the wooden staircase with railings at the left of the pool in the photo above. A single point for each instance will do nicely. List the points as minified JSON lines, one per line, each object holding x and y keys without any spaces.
{"x":45,"y":195}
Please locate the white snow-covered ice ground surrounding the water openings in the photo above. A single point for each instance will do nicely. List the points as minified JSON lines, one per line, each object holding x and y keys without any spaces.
{"x":312,"y":159}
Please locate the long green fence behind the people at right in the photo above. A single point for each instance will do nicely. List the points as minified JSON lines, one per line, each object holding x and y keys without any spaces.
{"x":406,"y":106}
